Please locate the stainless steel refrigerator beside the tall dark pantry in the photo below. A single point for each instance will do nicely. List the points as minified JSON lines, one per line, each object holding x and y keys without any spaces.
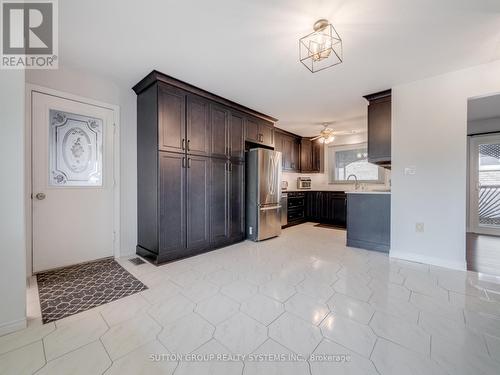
{"x":263,"y":193}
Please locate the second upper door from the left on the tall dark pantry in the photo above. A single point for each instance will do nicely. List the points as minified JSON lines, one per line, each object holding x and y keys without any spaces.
{"x":198,"y":126}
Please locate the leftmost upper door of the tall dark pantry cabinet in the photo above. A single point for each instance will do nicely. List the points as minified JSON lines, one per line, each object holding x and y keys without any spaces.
{"x":171,"y":119}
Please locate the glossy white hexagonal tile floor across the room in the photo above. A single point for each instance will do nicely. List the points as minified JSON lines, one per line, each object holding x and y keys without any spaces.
{"x":288,"y":304}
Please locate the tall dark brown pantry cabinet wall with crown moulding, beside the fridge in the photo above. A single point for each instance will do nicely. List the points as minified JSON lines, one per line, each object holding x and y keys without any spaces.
{"x":190,"y":168}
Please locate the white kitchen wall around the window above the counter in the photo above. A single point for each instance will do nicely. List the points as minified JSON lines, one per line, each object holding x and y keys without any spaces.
{"x":320,"y":180}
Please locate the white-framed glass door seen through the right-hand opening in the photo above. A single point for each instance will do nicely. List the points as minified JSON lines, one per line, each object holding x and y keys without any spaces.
{"x":484,"y":187}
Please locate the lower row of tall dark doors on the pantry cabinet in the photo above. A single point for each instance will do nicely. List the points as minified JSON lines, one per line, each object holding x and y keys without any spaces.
{"x":201,"y":205}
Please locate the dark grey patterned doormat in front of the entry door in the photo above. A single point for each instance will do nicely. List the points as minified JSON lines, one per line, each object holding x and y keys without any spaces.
{"x":70,"y":290}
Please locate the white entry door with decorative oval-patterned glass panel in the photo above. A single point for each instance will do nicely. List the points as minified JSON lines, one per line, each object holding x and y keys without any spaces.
{"x":72,"y":181}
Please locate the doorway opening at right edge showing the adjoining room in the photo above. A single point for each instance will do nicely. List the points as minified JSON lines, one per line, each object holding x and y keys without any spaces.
{"x":483,"y":226}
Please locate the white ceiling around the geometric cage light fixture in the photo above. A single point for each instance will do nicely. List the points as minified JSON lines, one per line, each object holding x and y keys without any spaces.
{"x":247,"y":51}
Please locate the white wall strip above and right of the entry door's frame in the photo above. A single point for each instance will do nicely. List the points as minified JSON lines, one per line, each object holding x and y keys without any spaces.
{"x":105,"y":90}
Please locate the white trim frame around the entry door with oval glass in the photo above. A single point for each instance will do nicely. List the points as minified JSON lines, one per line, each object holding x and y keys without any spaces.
{"x":30,"y":89}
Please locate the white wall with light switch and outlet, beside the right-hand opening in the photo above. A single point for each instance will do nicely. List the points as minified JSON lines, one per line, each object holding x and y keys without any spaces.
{"x":429,"y":128}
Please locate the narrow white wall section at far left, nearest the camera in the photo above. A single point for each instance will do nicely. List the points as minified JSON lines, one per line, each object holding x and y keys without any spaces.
{"x":12,"y":224}
